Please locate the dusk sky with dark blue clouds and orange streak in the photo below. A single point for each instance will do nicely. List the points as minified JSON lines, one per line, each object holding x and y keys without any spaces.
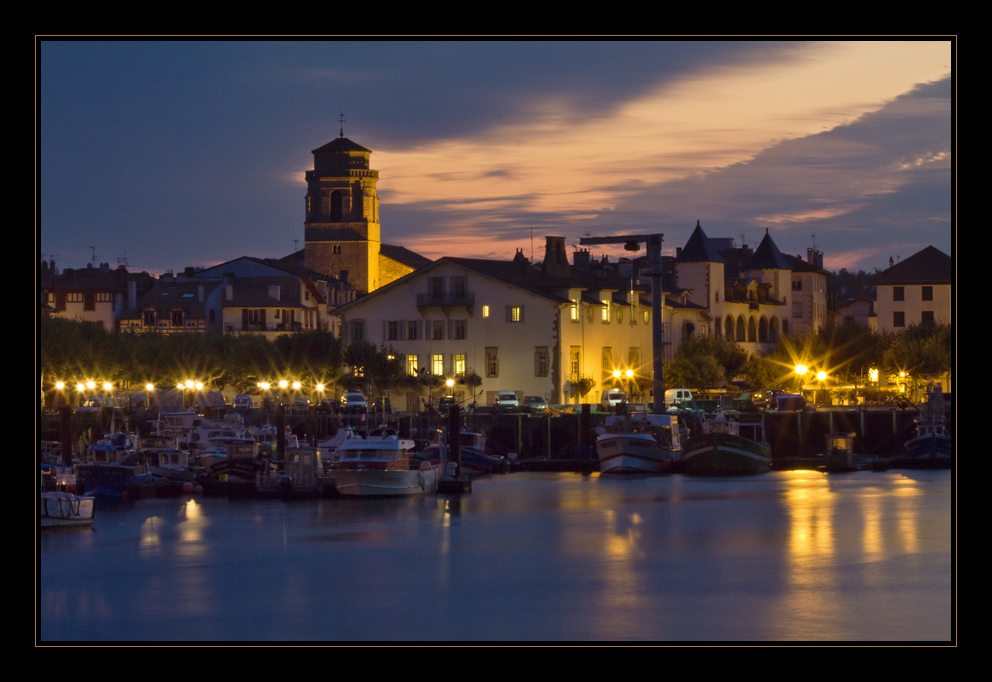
{"x":167,"y":154}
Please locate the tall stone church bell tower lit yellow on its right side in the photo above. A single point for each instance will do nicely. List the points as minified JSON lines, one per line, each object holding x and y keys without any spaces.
{"x":341,"y":230}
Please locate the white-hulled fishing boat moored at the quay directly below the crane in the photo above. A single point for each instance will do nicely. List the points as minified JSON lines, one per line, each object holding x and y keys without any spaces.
{"x":640,"y":443}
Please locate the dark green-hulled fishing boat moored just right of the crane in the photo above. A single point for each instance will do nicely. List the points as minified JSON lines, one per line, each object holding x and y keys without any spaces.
{"x":727,"y":448}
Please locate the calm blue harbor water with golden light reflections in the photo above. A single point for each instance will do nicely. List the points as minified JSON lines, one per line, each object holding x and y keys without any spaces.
{"x":536,"y":557}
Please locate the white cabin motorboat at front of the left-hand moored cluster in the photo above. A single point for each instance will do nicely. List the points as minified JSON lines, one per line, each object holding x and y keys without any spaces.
{"x":382,"y":464}
